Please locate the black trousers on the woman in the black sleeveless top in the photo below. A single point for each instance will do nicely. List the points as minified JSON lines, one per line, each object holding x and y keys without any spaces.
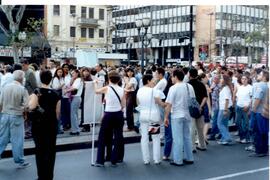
{"x":45,"y":150}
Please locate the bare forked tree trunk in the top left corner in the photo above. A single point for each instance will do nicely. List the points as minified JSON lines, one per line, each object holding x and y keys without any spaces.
{"x":13,"y":29}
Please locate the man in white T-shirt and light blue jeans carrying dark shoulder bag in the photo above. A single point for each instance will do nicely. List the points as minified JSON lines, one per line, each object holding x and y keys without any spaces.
{"x":177,"y":104}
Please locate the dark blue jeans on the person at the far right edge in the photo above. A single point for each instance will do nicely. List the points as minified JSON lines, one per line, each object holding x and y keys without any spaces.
{"x":261,"y":129}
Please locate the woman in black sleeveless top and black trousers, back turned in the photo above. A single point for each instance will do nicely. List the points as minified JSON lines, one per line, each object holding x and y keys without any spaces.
{"x":44,"y":128}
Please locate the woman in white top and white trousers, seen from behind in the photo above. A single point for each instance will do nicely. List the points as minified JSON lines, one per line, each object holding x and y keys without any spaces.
{"x":148,"y":100}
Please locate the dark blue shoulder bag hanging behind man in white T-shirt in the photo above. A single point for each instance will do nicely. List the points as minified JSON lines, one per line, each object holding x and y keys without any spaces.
{"x":193,"y":106}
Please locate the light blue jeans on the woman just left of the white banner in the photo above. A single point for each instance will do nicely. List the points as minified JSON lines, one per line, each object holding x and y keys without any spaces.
{"x":74,"y":107}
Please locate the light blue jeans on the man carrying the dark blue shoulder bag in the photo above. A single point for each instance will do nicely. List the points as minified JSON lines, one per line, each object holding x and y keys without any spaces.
{"x":182,"y":143}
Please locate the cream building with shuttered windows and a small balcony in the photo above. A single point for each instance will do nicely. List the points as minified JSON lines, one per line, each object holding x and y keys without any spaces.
{"x":78,"y":27}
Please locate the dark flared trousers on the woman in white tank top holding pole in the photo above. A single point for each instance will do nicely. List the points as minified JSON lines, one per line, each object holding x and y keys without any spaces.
{"x":111,"y":134}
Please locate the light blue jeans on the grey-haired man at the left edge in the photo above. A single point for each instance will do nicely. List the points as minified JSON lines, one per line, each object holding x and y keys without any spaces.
{"x":12,"y":129}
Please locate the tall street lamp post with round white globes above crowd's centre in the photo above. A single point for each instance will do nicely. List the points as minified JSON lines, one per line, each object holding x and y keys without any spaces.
{"x":143,"y":37}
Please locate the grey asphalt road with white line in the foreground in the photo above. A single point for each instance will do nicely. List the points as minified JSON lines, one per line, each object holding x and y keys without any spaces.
{"x":218,"y":162}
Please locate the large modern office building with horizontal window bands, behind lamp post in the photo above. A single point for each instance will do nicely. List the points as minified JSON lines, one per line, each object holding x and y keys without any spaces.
{"x":216,"y":31}
